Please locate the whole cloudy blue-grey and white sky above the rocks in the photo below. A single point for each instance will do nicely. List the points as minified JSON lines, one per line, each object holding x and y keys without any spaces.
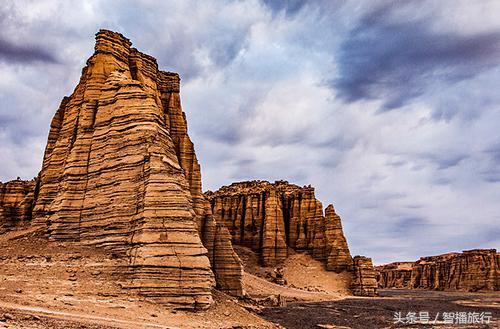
{"x":391,"y":109}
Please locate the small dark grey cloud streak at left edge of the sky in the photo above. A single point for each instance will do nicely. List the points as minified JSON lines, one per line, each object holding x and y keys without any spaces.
{"x":26,"y":53}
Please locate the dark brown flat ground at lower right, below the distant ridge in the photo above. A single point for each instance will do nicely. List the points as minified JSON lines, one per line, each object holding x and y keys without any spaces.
{"x":379,"y":312}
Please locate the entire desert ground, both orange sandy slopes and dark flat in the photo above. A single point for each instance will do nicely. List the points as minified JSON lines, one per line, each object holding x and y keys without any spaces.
{"x":46,"y":284}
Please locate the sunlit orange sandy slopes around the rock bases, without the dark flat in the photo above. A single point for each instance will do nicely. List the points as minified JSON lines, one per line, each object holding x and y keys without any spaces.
{"x":45,"y":284}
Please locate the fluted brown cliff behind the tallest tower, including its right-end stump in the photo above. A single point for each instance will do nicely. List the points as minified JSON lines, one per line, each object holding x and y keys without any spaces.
{"x":272,"y":218}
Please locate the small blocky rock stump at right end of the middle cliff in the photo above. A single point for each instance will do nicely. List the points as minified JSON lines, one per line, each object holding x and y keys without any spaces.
{"x":364,"y":281}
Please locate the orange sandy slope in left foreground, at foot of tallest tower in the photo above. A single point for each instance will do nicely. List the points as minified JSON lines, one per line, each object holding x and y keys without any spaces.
{"x":61,"y":285}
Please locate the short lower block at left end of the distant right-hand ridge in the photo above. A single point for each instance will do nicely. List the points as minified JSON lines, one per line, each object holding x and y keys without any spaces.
{"x":394,"y":275}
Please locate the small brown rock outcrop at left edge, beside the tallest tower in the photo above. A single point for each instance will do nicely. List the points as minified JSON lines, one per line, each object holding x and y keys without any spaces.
{"x":16,"y":203}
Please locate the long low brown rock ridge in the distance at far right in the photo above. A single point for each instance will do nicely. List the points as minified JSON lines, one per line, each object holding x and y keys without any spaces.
{"x":471,"y":270}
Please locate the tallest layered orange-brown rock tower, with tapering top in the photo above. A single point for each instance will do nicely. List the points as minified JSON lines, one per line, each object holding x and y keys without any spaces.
{"x":120,"y":173}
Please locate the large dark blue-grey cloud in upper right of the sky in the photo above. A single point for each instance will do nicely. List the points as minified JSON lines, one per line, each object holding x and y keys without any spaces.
{"x":397,"y":60}
